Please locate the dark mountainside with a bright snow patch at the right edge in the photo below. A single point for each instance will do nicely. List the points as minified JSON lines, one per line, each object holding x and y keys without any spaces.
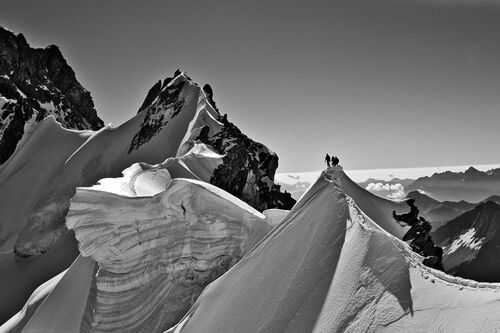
{"x":471,"y":243}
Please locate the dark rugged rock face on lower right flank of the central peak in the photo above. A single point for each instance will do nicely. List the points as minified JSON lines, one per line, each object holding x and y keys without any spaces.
{"x":247,"y":165}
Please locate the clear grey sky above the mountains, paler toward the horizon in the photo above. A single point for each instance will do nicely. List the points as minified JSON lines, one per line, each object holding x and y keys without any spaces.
{"x":379,"y":83}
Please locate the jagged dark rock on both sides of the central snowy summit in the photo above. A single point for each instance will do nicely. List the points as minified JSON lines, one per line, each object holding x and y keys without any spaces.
{"x":248,"y":167}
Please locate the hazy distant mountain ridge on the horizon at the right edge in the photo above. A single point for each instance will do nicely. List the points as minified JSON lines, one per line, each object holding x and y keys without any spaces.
{"x":472,"y":185}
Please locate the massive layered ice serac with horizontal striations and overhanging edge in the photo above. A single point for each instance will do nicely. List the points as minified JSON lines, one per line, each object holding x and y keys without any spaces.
{"x":156,"y":253}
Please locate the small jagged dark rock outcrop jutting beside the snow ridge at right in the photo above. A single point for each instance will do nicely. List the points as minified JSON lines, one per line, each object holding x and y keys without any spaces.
{"x":419,"y":236}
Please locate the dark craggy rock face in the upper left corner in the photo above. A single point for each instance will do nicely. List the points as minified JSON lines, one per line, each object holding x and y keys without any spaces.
{"x":35,"y":83}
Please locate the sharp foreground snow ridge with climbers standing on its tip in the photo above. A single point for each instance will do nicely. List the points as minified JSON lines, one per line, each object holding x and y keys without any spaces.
{"x":327,"y":267}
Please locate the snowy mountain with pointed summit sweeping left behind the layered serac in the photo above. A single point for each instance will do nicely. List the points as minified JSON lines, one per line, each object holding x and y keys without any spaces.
{"x":41,"y":176}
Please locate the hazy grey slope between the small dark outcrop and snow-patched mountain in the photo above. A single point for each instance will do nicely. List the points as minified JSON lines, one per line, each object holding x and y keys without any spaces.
{"x":439,"y":212}
